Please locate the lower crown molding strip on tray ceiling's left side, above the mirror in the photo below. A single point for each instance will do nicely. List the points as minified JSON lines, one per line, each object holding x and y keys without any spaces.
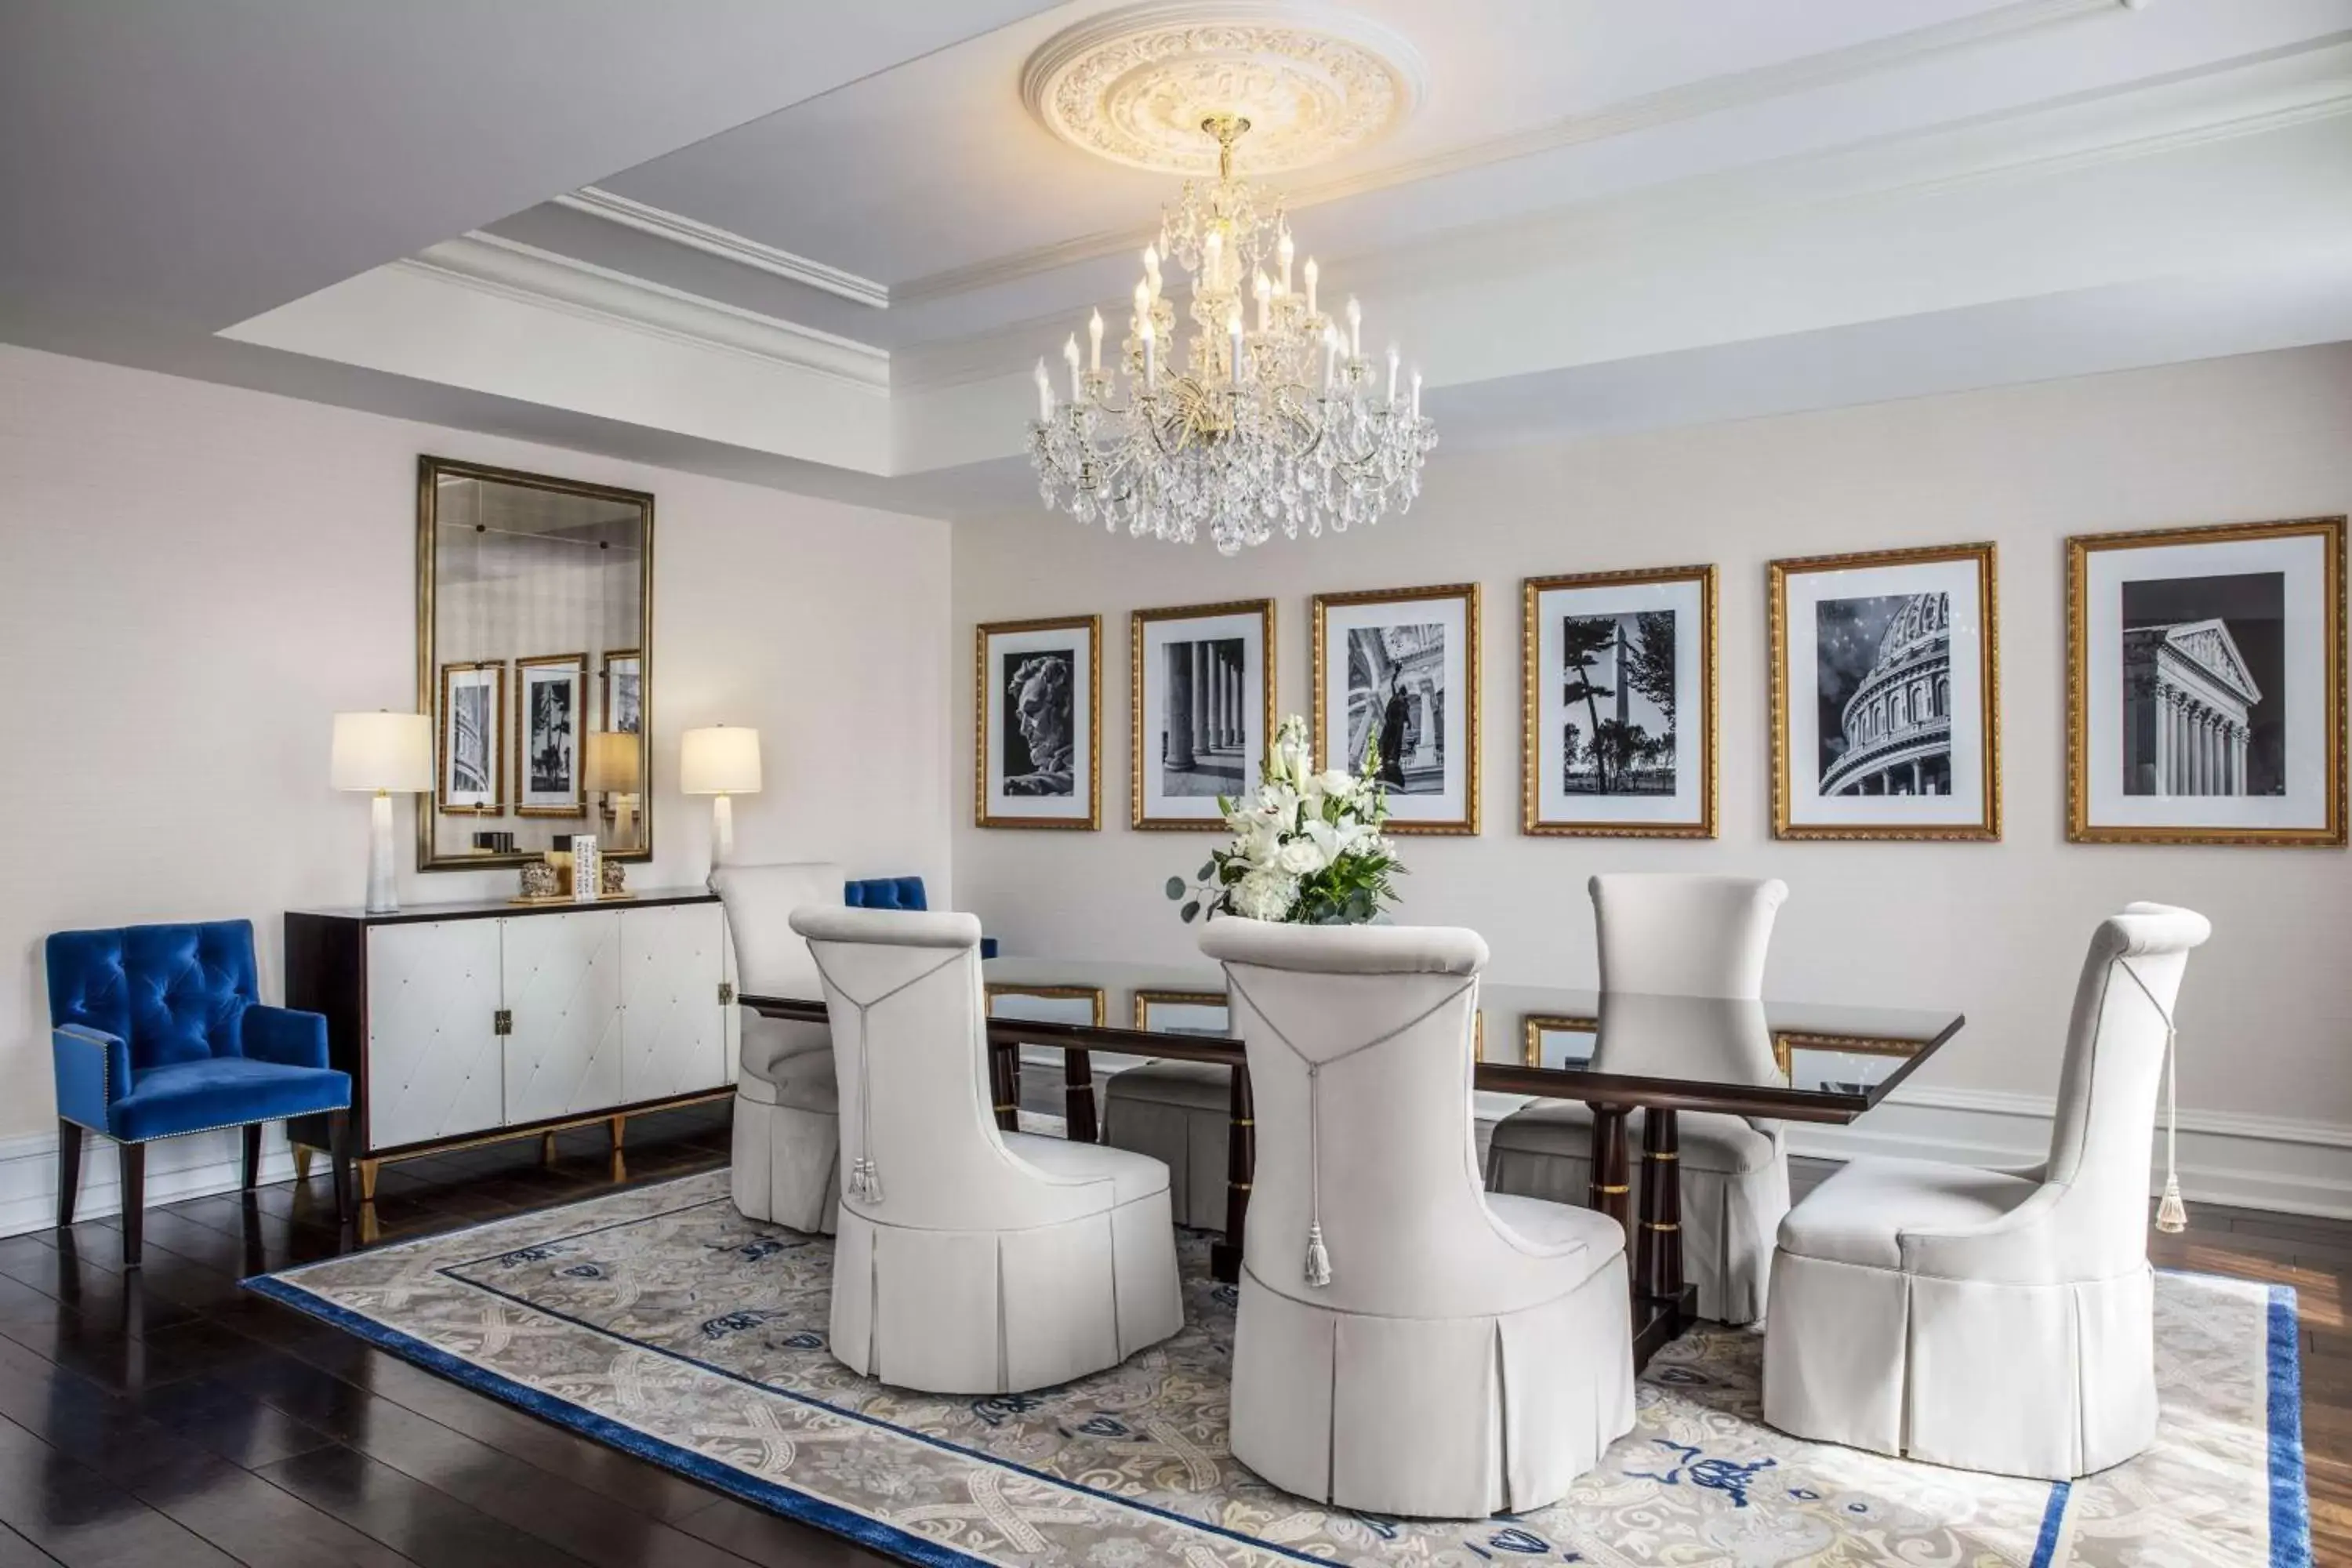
{"x":542,"y":279}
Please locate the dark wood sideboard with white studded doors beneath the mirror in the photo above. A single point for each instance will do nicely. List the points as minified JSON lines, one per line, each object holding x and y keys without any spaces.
{"x":469,"y":1024}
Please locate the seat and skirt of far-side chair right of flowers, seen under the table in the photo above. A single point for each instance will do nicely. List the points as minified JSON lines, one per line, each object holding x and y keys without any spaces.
{"x":1735,"y":1191}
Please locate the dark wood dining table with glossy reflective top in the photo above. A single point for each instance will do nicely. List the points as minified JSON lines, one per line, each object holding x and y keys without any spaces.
{"x":1617,"y":1052}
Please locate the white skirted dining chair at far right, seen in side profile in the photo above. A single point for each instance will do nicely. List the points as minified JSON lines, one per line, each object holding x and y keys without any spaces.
{"x":1984,"y":1320}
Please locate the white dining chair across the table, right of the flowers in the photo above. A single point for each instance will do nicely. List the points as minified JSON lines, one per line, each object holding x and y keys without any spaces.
{"x":1688,"y":937}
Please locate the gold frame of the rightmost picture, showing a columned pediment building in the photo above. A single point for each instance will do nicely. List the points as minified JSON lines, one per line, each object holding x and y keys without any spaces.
{"x":2332,"y":706}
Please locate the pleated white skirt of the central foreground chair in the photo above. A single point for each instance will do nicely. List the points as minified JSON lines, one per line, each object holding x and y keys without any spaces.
{"x":1445,"y":1419}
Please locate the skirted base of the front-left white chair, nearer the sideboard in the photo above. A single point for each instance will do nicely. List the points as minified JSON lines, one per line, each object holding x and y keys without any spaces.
{"x":1010,"y":1311}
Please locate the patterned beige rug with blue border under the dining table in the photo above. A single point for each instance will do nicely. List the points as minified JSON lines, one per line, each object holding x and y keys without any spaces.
{"x":667,"y":1325}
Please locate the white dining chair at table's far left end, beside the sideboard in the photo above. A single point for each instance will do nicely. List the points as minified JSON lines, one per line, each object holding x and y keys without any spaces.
{"x":787,"y":1127}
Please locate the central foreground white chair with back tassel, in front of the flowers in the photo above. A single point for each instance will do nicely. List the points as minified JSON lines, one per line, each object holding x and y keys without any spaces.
{"x":1408,"y":1343}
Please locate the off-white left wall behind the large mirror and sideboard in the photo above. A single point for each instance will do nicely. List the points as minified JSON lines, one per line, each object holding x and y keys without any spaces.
{"x":196,"y":577}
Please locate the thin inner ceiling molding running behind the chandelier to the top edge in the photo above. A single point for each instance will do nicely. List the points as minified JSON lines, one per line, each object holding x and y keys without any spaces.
{"x":1650,"y":112}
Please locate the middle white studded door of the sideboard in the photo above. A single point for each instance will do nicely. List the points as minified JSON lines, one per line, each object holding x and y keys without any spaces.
{"x":563,"y":991}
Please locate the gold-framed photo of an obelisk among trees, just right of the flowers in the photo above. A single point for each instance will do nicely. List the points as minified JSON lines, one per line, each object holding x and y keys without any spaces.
{"x":1617,"y":681}
